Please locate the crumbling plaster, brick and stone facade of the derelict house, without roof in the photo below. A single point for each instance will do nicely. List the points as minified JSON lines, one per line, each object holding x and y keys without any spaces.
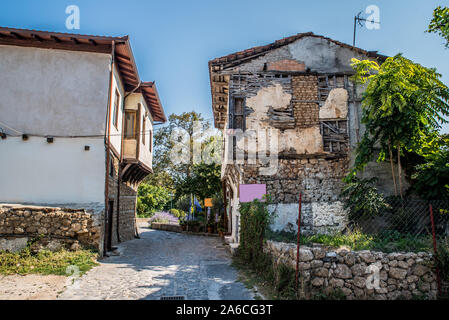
{"x":310,"y":170}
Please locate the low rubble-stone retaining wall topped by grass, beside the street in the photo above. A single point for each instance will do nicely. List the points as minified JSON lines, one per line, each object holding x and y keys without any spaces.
{"x":361,"y":275}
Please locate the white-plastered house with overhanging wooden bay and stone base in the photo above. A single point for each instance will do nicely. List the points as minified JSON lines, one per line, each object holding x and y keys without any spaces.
{"x":76,"y":126}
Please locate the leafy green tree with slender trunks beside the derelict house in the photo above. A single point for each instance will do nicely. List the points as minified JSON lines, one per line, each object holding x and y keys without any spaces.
{"x":403,"y":106}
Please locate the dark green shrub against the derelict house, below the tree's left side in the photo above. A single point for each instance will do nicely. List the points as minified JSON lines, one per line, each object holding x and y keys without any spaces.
{"x":362,"y":198}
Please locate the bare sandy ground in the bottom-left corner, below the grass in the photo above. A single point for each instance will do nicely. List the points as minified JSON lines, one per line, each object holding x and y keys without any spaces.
{"x":32,"y":287}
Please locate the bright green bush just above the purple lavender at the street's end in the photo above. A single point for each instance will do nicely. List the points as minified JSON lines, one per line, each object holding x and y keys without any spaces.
{"x":151,"y":199}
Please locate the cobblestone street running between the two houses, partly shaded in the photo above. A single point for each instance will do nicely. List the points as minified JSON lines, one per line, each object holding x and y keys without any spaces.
{"x":163,"y":264}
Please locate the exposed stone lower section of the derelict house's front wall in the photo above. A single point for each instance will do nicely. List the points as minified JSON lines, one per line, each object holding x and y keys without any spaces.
{"x":319,"y":181}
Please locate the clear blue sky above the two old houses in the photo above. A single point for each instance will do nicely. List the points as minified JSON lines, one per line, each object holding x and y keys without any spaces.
{"x":173,"y":40}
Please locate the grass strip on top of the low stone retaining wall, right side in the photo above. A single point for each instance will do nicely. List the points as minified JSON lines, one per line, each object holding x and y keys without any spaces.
{"x":389,"y":241}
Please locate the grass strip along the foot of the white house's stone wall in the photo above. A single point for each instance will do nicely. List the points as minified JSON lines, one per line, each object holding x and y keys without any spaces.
{"x":46,"y":262}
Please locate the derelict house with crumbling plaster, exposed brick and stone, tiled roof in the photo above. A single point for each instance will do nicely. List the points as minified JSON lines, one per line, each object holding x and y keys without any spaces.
{"x":299,"y":89}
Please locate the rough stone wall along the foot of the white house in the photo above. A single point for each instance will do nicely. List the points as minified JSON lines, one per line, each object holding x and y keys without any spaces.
{"x":21,"y":223}
